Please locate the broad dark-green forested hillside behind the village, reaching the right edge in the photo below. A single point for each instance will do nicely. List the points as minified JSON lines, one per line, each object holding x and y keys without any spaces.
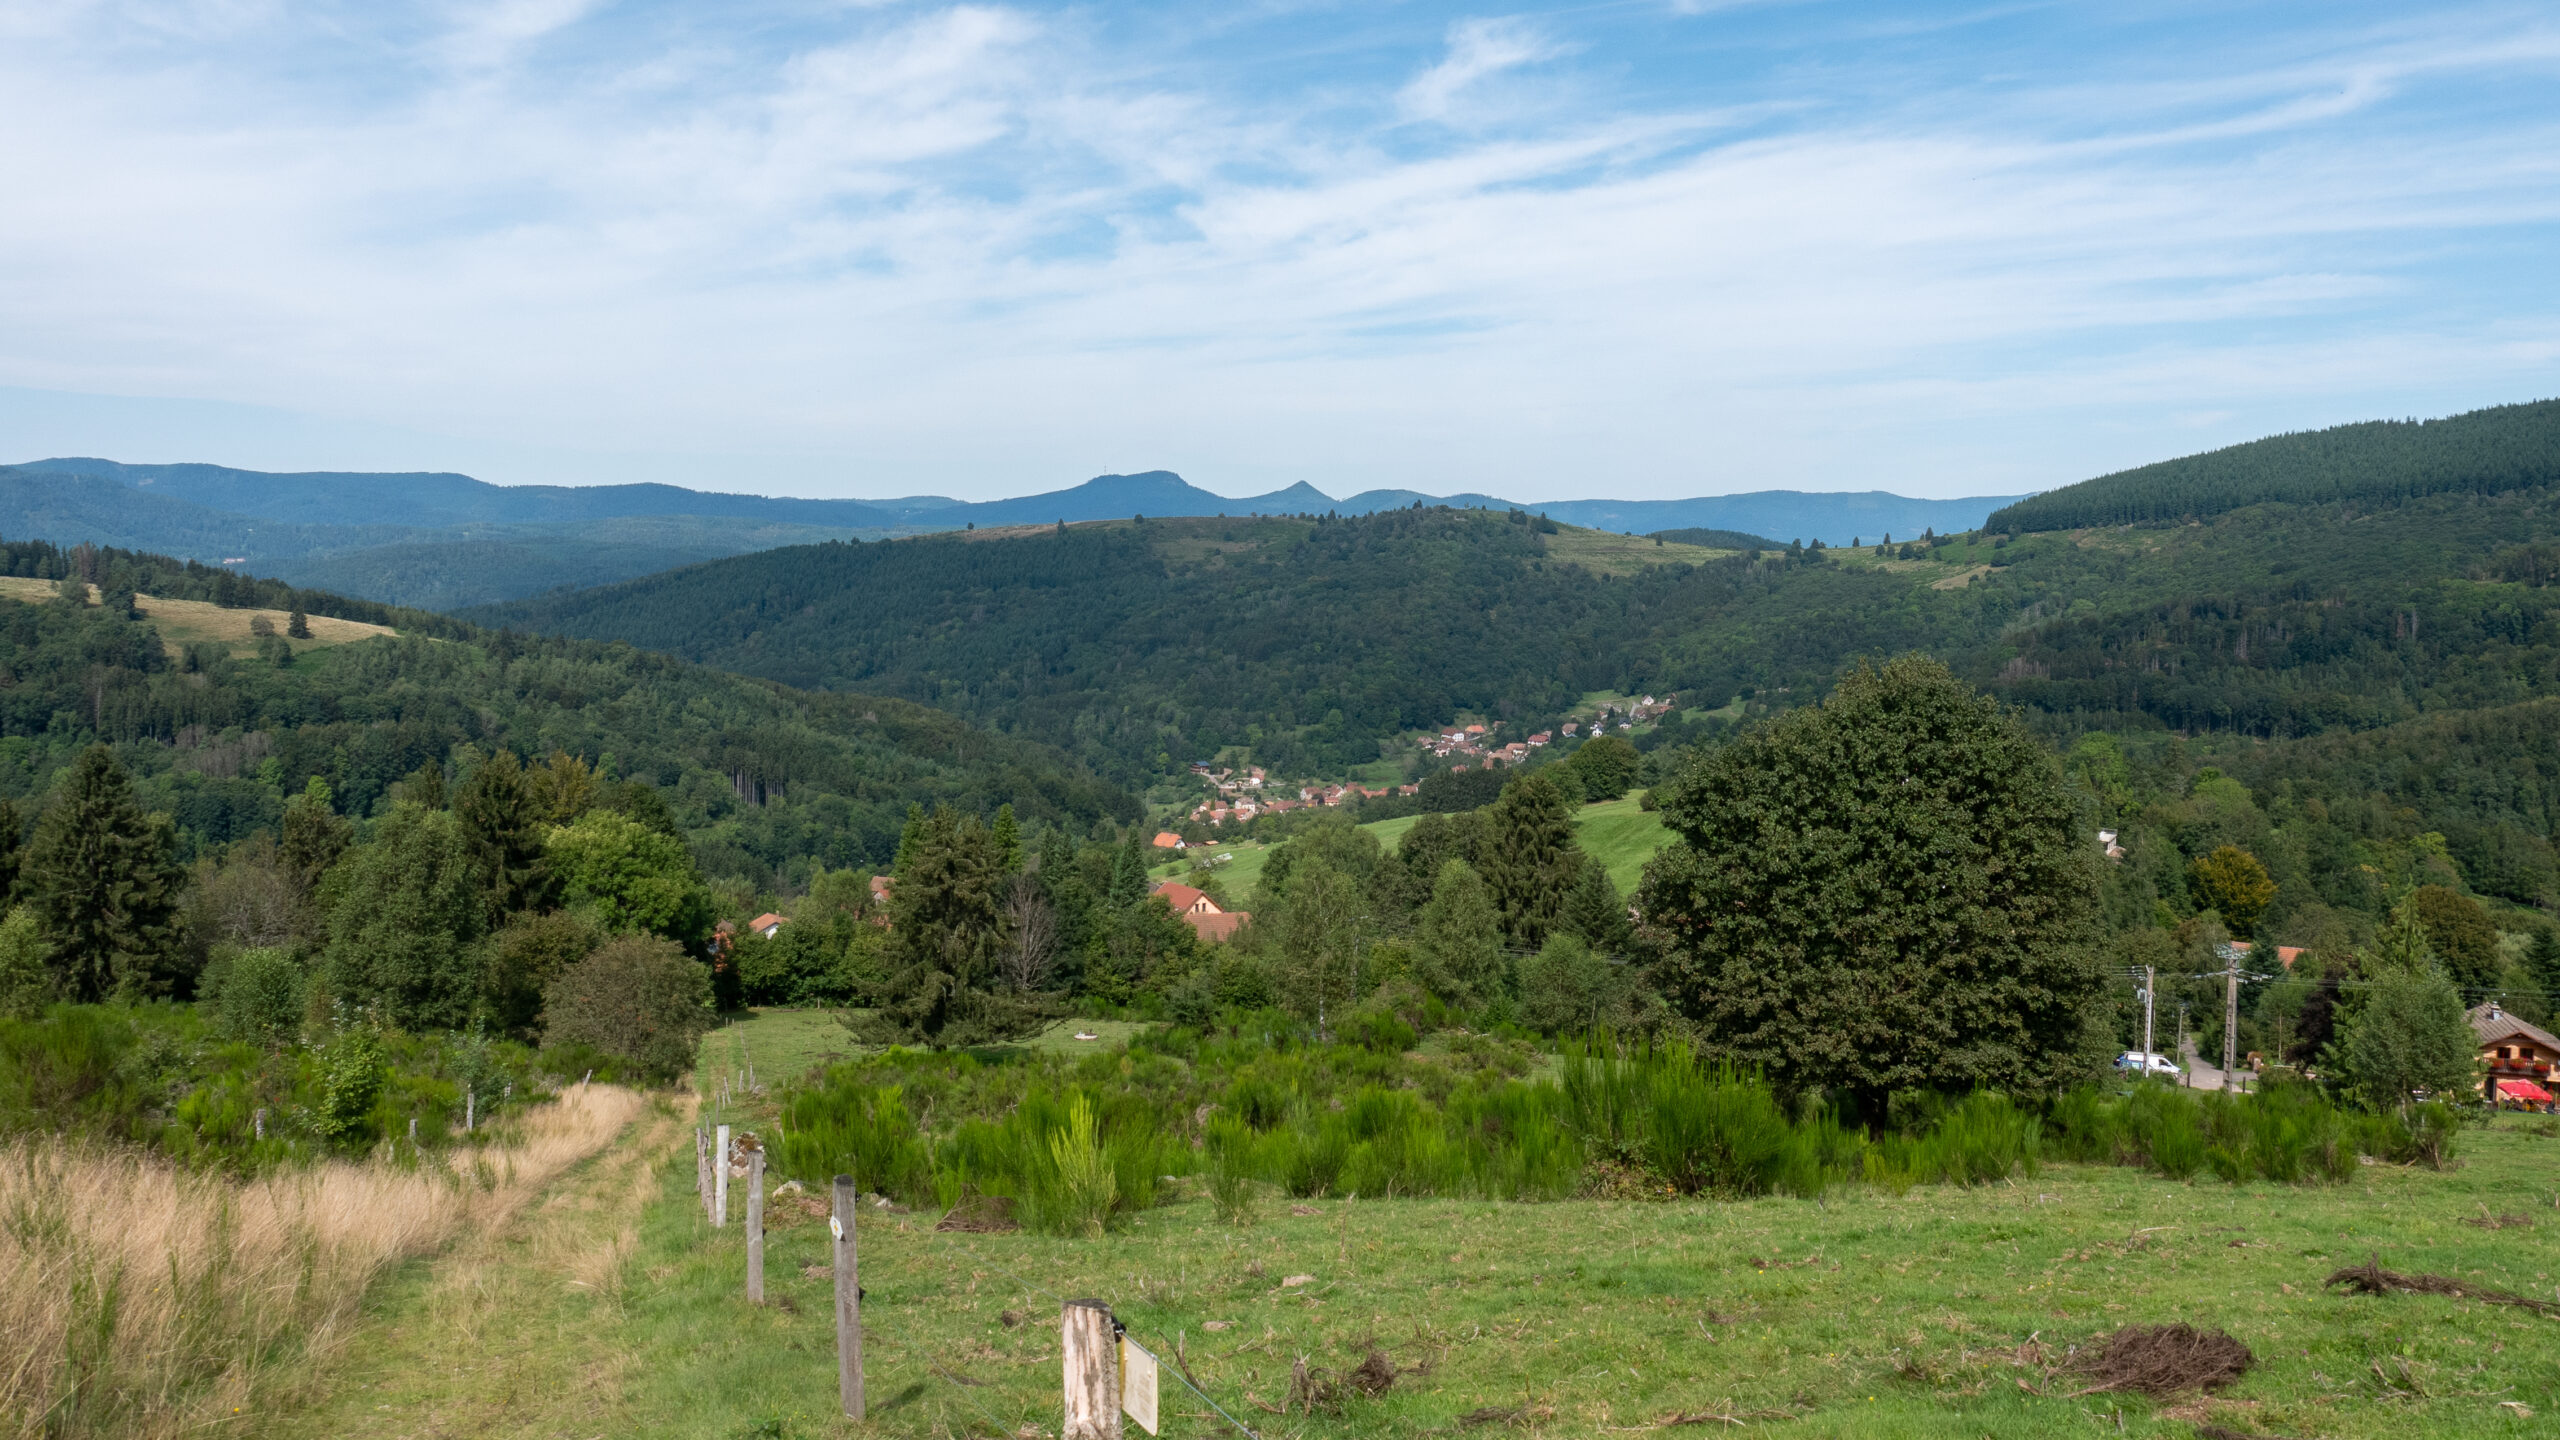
{"x":1151,"y":644}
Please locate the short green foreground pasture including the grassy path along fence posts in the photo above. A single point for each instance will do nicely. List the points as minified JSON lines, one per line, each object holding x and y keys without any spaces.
{"x":1942,"y":1313}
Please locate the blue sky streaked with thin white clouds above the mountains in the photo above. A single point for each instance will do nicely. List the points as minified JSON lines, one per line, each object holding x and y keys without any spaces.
{"x":1627,"y":250}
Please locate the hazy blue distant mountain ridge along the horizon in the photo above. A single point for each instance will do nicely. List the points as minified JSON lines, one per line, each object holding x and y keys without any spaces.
{"x":449,"y":542}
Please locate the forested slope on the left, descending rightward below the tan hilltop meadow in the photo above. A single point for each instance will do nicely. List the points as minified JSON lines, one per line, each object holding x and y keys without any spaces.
{"x":219,"y":734}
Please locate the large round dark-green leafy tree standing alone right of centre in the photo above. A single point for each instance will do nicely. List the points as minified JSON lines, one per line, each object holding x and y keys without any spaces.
{"x":1883,"y":893}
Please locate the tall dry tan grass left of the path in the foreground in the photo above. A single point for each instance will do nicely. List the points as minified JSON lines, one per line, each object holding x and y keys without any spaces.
{"x":142,"y":1300}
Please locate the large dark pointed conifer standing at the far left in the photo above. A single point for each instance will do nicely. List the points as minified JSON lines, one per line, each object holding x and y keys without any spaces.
{"x":104,"y":883}
